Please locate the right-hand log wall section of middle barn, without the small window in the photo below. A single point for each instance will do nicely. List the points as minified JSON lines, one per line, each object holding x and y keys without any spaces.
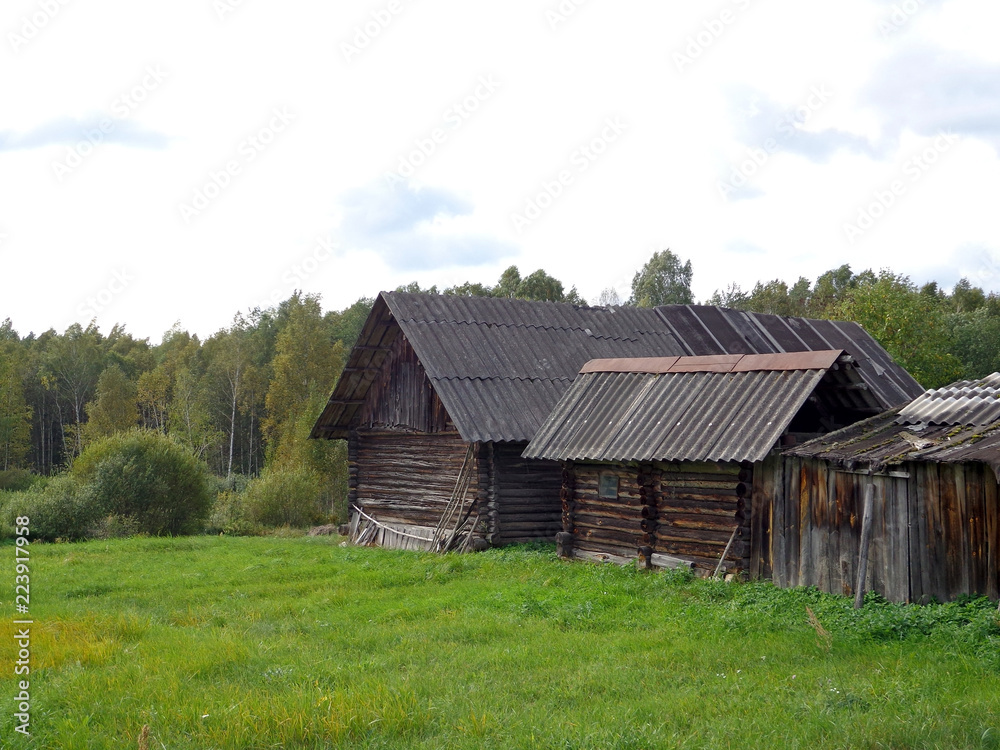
{"x":700,"y":504}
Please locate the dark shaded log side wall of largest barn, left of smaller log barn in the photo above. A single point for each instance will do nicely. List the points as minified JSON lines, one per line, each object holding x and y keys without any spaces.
{"x":526,"y":496}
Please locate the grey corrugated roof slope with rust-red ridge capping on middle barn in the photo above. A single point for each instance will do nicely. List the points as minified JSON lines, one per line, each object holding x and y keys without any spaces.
{"x":685,"y":410}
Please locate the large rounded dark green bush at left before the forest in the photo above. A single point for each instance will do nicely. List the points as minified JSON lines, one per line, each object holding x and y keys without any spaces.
{"x":149,"y":478}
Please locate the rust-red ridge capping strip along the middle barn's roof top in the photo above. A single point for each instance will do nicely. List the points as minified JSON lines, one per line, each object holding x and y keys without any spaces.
{"x":721,"y":363}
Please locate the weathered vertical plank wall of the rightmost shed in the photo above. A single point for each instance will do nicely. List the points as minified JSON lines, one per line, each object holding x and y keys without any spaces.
{"x":935,"y":530}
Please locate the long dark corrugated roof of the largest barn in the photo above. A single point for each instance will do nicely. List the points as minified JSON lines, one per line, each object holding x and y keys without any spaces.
{"x":501,"y":365}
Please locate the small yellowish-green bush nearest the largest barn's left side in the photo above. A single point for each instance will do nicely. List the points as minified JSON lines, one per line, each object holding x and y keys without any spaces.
{"x":285,"y":497}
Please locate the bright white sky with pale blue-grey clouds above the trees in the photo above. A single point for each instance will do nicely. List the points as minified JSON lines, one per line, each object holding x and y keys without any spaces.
{"x":183,"y":161}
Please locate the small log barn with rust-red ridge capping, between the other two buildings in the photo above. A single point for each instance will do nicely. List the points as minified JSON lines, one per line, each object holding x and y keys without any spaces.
{"x":673,"y":457}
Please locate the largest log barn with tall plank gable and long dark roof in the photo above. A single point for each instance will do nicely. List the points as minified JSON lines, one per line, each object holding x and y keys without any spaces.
{"x":436,"y":383}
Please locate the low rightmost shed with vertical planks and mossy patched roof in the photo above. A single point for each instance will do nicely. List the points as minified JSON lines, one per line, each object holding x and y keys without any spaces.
{"x":934,"y":519}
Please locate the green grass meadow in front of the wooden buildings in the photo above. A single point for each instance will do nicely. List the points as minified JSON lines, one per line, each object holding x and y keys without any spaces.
{"x":301,"y":643}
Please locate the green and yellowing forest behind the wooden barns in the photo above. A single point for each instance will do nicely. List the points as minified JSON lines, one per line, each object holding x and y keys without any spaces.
{"x":244,"y":399}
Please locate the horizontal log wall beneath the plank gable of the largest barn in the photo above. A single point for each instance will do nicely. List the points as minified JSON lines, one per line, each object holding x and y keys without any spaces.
{"x":408,"y":478}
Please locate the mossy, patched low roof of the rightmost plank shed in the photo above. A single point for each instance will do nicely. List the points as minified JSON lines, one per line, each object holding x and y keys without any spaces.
{"x":955,"y":424}
